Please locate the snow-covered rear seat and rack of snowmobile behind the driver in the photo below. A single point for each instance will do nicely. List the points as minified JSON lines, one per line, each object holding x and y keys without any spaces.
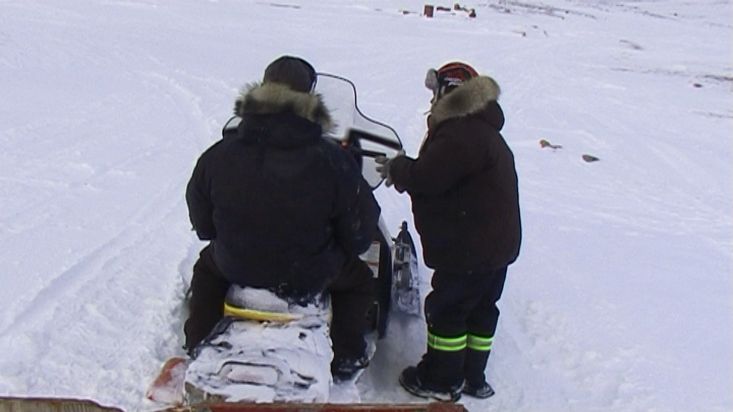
{"x":264,"y":350}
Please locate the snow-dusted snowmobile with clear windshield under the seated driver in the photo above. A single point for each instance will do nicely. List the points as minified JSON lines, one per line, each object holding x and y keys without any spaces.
{"x":266,"y":350}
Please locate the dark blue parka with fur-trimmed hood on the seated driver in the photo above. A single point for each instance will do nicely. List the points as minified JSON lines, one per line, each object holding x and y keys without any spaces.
{"x":282,"y":206}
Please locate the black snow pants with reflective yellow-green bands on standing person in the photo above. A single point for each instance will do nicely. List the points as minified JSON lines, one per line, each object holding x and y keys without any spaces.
{"x":461,"y":316}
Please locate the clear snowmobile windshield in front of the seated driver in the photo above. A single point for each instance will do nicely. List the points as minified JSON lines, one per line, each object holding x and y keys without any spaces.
{"x":364,"y":135}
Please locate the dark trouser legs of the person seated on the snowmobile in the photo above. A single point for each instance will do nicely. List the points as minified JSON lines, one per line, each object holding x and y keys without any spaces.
{"x":352,"y":294}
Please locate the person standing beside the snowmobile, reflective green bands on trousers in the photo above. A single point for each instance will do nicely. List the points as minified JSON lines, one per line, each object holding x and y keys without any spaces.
{"x":465,"y":203}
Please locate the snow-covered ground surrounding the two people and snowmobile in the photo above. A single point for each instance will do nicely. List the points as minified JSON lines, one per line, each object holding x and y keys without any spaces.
{"x":621,"y":300}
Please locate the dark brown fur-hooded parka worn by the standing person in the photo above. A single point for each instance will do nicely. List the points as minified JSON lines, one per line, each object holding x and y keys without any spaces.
{"x":463,"y":185}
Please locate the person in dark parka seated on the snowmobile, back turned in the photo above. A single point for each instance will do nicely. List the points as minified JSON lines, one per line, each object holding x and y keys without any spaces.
{"x":283,"y":209}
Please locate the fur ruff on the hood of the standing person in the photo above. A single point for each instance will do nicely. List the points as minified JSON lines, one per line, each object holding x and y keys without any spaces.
{"x":469,"y":98}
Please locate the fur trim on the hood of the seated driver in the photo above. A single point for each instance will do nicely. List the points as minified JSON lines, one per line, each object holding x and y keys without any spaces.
{"x":271,"y":98}
